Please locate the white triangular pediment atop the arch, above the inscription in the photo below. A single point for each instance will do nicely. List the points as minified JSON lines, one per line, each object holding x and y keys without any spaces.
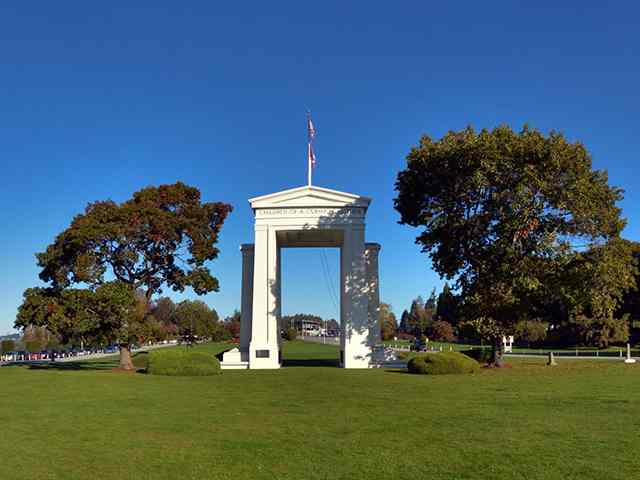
{"x":309,"y":196}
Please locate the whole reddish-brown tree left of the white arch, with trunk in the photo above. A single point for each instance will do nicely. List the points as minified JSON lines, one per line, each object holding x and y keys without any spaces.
{"x":162,"y":237}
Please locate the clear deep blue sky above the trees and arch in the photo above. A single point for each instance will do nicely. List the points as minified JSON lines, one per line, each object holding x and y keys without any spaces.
{"x":99,"y":99}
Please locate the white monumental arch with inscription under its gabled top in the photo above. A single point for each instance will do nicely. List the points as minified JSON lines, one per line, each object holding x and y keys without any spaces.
{"x":301,"y":217}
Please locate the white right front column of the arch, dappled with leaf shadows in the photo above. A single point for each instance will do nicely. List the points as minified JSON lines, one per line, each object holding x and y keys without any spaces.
{"x":354,"y":296}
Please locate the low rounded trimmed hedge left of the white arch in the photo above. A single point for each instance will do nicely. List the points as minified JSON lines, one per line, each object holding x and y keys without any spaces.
{"x":182,"y":362}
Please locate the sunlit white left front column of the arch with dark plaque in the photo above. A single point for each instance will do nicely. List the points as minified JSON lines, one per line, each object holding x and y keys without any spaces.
{"x":263,"y":348}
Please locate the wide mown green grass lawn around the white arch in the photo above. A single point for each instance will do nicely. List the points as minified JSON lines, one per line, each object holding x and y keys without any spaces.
{"x":310,"y":420}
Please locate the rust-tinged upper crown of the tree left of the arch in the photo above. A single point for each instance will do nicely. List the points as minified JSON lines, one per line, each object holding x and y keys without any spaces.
{"x":163,"y":235}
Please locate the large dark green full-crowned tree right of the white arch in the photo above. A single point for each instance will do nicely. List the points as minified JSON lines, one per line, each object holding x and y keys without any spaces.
{"x":501,"y":211}
